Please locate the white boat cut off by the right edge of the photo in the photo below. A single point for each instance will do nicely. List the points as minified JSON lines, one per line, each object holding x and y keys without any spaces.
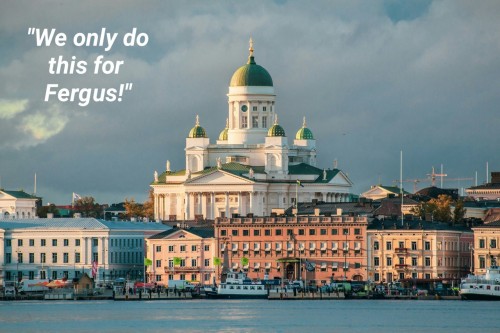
{"x":482,"y":287}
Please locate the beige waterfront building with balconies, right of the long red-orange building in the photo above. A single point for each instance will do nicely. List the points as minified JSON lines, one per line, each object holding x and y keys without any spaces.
{"x":419,"y":250}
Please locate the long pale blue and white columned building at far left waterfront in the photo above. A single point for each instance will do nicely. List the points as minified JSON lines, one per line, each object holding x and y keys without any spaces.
{"x":67,"y":247}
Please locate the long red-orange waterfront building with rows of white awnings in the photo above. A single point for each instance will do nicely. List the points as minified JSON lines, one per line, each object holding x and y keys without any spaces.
{"x":317,"y":249}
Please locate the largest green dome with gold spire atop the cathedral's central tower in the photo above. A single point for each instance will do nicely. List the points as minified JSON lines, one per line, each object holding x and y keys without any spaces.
{"x":251,"y":74}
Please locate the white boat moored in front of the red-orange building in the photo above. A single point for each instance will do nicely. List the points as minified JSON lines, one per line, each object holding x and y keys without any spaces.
{"x":238,"y":286}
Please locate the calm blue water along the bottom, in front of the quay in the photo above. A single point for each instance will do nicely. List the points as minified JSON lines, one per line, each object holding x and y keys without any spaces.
{"x":250,"y":316}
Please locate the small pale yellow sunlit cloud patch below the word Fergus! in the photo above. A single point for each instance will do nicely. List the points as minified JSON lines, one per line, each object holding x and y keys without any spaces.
{"x":44,"y":124}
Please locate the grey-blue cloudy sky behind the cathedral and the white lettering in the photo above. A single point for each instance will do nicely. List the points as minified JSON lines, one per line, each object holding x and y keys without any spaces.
{"x":373,"y":78}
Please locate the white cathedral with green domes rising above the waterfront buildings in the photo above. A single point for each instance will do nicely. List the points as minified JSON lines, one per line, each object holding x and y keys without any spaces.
{"x":251,"y":170}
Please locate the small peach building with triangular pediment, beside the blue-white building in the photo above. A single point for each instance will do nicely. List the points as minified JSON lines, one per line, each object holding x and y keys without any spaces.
{"x":182,"y":254}
